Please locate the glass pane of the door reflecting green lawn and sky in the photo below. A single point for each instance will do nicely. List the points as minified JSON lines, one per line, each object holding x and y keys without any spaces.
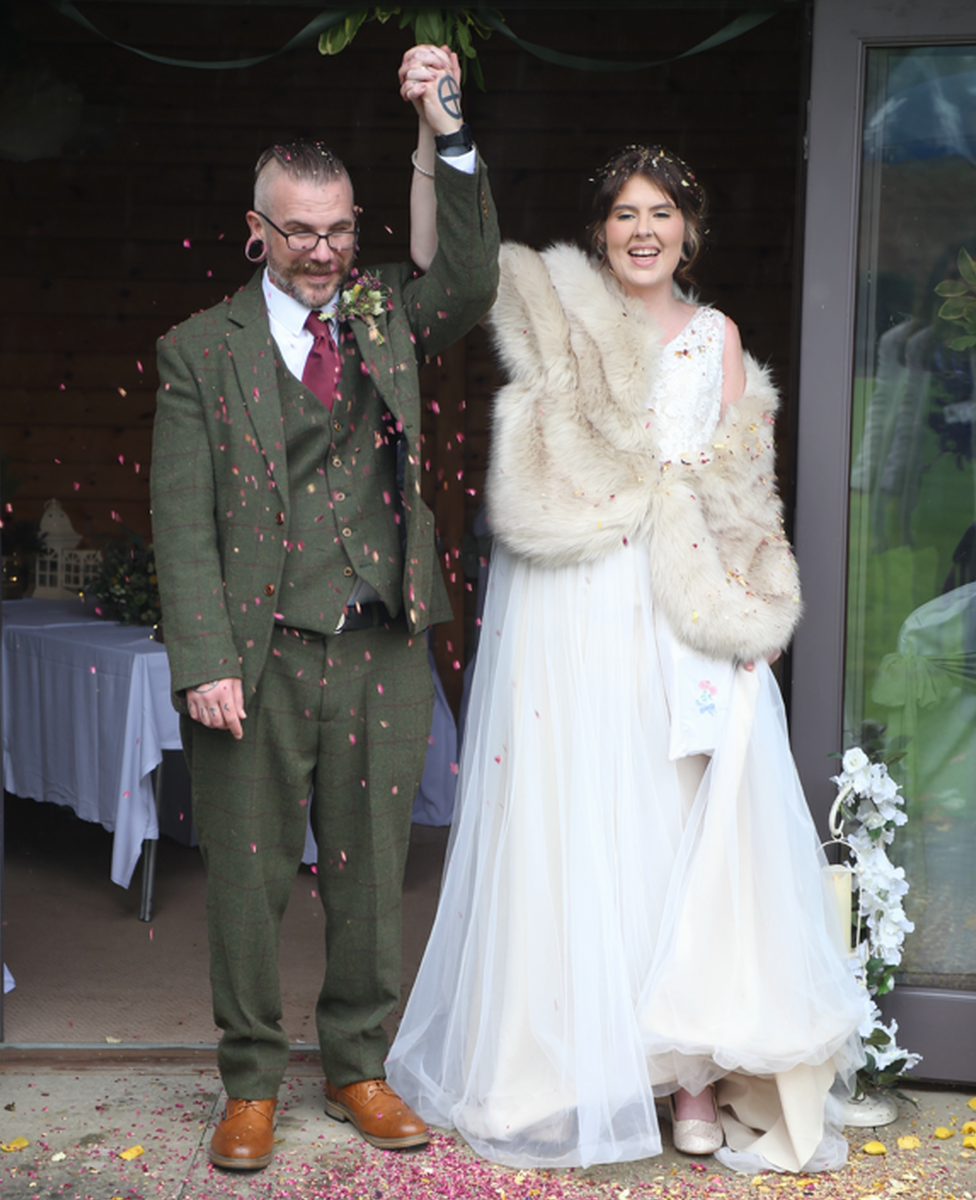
{"x":911,"y":680}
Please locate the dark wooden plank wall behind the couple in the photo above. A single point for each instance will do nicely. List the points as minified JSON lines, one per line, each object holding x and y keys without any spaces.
{"x":139,"y":220}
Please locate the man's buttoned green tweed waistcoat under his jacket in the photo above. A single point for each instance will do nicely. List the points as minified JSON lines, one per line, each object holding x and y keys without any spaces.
{"x":343,"y":523}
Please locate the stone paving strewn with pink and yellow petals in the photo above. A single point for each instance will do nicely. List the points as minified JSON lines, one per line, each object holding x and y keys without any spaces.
{"x":98,"y":1127}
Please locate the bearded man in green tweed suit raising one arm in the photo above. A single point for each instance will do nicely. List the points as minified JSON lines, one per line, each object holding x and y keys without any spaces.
{"x":298,"y":573}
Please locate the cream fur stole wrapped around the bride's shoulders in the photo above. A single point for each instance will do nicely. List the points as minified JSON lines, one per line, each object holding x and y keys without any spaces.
{"x":576,"y":471}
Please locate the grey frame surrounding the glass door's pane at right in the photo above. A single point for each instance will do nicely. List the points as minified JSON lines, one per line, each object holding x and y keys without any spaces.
{"x":936,"y":1024}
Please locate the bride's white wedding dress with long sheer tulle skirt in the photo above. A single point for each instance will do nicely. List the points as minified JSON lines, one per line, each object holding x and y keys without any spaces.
{"x":615,"y":922}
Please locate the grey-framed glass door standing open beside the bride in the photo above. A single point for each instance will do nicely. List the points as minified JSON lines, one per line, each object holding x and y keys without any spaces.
{"x":887,"y":473}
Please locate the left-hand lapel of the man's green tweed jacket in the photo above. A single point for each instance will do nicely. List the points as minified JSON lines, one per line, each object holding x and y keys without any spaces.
{"x":255,"y":359}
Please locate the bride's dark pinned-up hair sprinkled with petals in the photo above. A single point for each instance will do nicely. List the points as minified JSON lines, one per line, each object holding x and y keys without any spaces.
{"x":667,"y":172}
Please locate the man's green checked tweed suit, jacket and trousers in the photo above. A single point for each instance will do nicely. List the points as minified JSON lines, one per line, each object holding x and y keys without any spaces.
{"x":346,"y":715}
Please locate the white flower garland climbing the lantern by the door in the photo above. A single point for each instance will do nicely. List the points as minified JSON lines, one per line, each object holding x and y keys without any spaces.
{"x":882,"y":889}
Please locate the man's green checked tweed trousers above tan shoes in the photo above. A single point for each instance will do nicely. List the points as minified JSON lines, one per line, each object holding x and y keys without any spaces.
{"x":346,"y":719}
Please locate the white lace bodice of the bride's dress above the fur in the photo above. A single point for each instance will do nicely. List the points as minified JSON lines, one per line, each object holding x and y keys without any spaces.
{"x":687,"y":395}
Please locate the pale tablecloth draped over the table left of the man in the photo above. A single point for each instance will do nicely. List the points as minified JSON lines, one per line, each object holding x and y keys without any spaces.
{"x":87,"y":717}
